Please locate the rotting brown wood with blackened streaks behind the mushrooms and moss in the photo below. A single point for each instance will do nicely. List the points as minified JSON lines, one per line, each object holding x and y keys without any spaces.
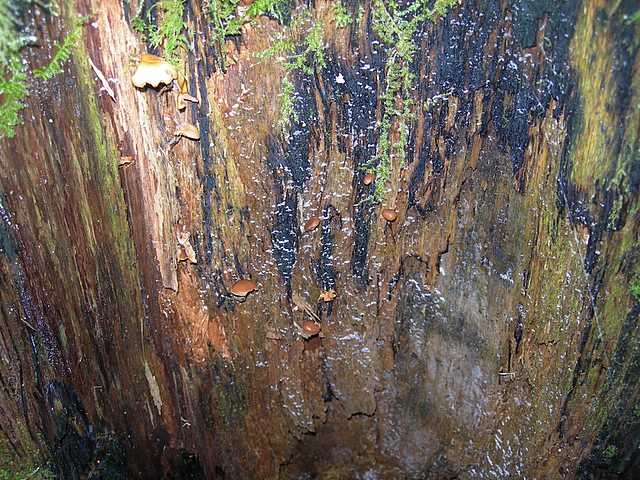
{"x":489,"y":331}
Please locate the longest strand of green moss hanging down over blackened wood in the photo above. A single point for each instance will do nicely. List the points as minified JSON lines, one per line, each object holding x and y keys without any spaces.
{"x":396,"y":27}
